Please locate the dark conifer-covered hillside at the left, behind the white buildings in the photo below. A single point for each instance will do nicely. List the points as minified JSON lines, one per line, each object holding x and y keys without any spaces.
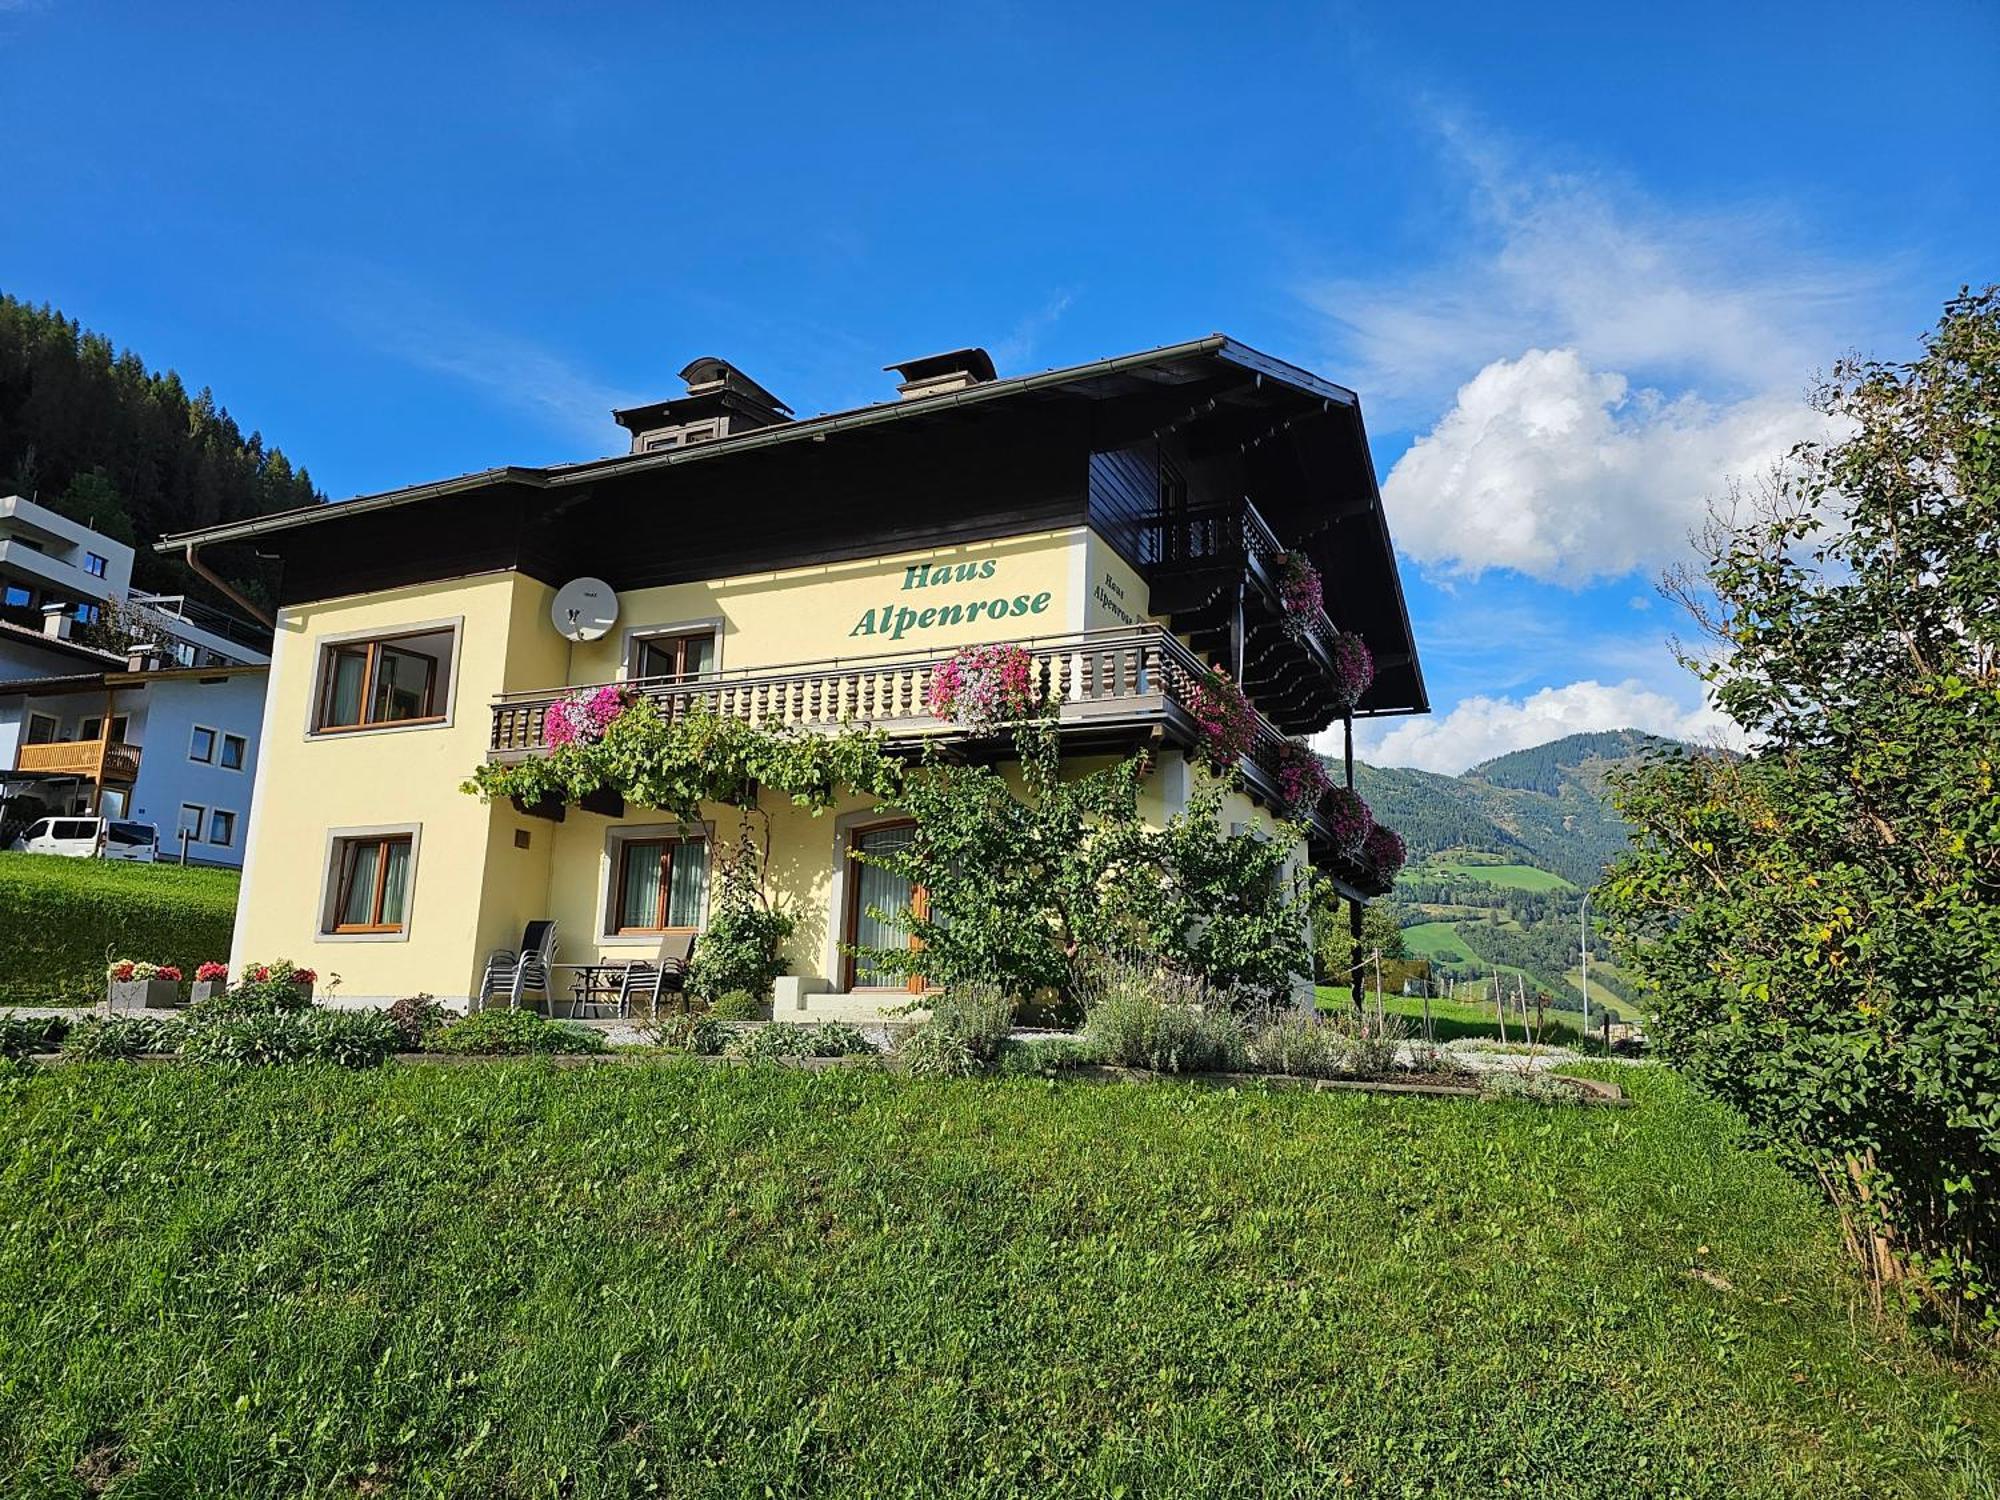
{"x":89,"y":431}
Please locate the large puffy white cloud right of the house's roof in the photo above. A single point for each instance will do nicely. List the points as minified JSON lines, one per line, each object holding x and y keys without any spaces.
{"x":1569,"y":475}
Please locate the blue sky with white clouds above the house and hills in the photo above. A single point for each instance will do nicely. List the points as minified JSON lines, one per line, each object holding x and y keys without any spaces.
{"x":1581,"y":263}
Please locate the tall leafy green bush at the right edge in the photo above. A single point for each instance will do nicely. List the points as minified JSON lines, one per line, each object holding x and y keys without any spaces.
{"x":1821,"y":919}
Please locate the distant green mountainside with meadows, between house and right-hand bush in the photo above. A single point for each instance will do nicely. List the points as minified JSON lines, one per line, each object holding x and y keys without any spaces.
{"x":1501,"y":859}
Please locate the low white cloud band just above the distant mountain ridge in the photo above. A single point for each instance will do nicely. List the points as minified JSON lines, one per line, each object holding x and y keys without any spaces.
{"x":1481,"y":729}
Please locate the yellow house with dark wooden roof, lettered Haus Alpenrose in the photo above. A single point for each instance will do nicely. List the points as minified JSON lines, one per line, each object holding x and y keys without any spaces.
{"x":1131,"y":523}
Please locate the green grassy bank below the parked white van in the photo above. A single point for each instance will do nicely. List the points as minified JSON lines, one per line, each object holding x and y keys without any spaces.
{"x":63,"y":917}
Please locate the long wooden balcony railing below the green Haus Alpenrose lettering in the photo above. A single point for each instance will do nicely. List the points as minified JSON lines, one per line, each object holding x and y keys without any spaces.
{"x":1113,"y":685}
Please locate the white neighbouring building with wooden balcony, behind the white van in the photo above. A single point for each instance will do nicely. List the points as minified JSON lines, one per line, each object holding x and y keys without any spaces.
{"x":171,"y":747}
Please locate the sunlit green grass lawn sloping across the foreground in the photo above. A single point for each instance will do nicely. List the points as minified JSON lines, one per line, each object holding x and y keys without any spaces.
{"x":479,"y":1281}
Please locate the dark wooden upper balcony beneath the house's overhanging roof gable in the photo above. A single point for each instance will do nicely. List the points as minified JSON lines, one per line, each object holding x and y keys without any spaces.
{"x":1217,"y":571}
